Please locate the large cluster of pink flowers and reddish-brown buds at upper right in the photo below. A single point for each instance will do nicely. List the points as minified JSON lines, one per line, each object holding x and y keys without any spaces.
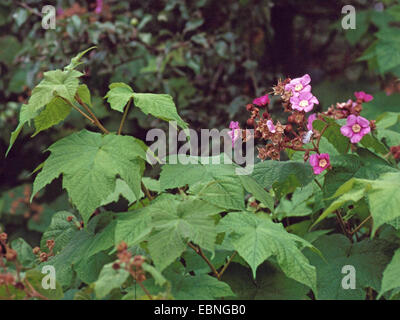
{"x":297,"y":99}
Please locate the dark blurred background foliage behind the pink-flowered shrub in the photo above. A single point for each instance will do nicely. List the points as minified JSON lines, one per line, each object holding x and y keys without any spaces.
{"x":213,"y":57}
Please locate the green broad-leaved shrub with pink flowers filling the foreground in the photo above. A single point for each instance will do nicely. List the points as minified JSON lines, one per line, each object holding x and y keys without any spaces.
{"x":200,"y":231}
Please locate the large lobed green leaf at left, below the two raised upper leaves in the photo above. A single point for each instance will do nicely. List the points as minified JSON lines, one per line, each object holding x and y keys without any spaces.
{"x":90,"y":164}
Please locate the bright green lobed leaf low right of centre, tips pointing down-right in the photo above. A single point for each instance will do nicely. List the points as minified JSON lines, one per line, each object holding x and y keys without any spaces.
{"x":257,"y":238}
